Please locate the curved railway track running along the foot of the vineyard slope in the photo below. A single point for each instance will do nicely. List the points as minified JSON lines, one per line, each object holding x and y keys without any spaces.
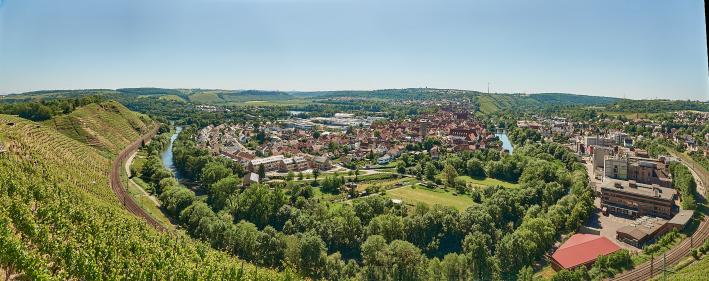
{"x":120,"y":190}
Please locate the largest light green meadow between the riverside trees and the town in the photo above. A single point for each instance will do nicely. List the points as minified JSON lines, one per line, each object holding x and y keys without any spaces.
{"x":414,"y":195}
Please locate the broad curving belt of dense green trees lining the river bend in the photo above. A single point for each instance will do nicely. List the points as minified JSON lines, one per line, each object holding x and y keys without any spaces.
{"x":324,"y":240}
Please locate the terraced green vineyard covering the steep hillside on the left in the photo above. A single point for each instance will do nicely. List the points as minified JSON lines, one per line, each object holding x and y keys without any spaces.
{"x":59,"y":219}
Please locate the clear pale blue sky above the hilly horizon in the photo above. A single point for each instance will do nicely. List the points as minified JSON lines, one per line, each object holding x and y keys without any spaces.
{"x":622,"y":48}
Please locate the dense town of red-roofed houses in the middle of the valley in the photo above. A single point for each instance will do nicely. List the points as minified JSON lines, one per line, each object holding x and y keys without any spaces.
{"x":296,"y":145}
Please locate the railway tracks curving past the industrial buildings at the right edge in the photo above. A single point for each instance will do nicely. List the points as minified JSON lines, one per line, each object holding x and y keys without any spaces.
{"x":649,"y":269}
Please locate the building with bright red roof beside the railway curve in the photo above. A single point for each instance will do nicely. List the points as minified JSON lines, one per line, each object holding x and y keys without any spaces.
{"x":582,"y":249}
